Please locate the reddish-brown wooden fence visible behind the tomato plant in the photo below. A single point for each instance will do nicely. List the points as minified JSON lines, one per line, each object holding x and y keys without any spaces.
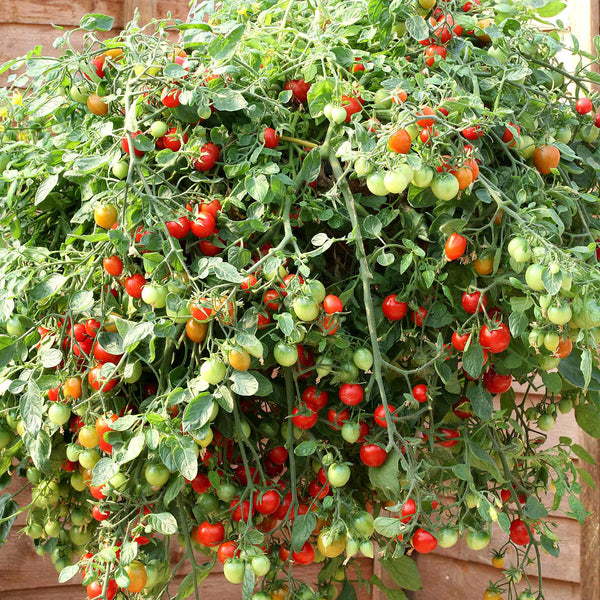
{"x":455,"y":574}
